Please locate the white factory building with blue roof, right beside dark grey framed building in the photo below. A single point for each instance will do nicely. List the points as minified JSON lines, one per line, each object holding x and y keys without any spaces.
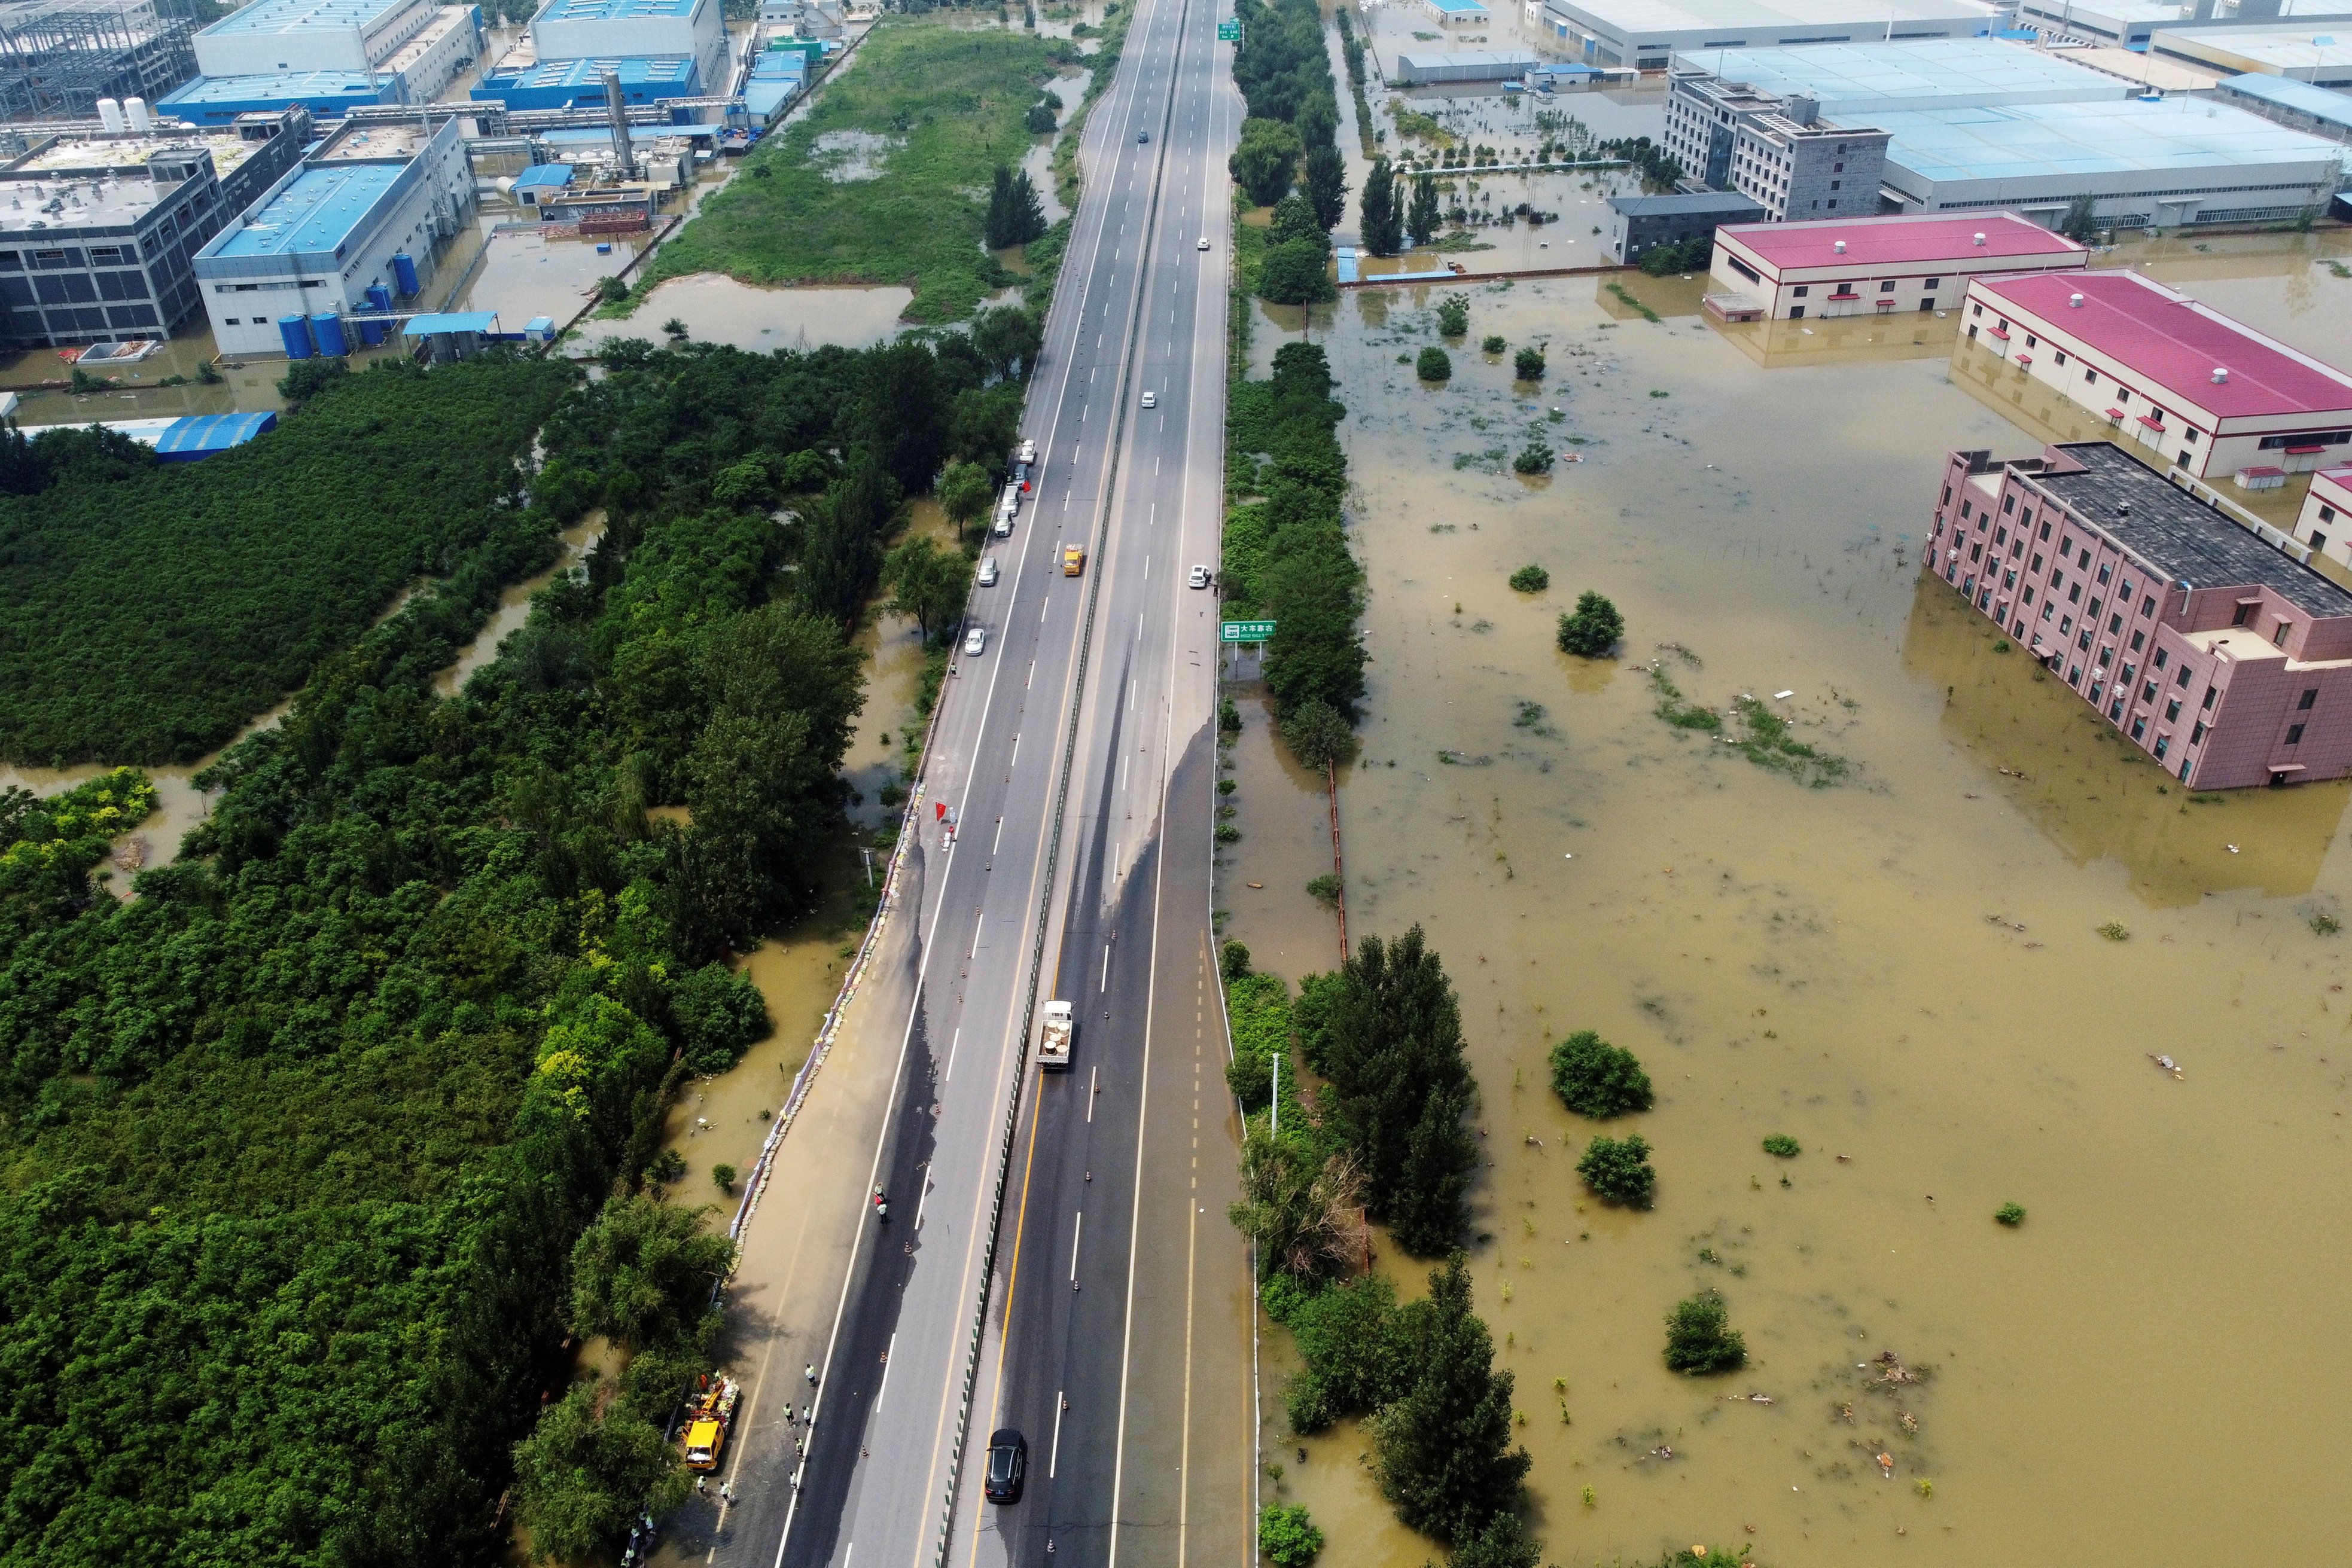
{"x":345,"y":239}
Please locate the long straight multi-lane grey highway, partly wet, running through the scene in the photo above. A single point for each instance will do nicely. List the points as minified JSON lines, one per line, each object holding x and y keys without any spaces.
{"x":1057,"y":1254}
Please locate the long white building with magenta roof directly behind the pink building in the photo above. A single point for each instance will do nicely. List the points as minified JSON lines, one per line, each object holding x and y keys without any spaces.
{"x":2203,"y":394}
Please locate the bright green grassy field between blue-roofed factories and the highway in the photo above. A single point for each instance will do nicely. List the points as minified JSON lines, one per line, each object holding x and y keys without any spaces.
{"x":951,"y":98}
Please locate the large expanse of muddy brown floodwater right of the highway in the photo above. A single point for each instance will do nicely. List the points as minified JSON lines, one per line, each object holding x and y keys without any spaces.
{"x":1904,"y":972}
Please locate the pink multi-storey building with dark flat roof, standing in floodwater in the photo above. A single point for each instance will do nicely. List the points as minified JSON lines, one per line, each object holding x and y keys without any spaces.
{"x":2214,"y":652}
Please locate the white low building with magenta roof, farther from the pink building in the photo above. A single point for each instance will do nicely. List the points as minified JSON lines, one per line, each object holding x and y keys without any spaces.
{"x":1880,"y":267}
